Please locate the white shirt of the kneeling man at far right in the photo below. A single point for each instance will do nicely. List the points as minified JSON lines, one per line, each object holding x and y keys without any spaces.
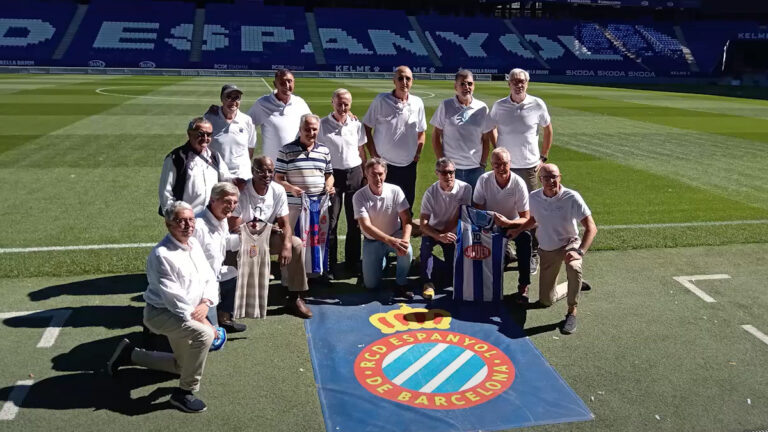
{"x":557,"y":218}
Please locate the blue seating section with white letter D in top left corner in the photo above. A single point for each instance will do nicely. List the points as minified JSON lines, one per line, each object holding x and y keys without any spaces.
{"x":30,"y":31}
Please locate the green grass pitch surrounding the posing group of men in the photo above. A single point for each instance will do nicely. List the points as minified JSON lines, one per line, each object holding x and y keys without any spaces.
{"x":676,"y":182}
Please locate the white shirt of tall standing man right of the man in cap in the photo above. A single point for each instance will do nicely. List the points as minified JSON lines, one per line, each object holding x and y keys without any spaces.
{"x":279,"y":122}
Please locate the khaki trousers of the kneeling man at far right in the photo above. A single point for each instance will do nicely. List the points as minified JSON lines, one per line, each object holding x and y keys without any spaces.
{"x":550,"y":263}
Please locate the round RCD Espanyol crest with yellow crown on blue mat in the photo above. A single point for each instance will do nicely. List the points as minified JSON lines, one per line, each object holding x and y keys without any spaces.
{"x":432,"y":369}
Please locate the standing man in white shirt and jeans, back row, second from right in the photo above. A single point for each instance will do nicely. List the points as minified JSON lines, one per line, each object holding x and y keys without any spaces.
{"x":462,"y":133}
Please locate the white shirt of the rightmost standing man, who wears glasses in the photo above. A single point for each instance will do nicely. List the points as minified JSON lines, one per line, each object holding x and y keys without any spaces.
{"x":518,"y":125}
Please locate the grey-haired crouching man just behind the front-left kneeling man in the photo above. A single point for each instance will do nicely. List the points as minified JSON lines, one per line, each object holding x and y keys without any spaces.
{"x":212,"y":231}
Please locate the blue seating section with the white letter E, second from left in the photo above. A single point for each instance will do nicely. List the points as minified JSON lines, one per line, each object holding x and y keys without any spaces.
{"x":133,"y":34}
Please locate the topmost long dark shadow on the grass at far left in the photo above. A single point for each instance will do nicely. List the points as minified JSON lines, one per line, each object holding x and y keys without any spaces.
{"x":122,"y":284}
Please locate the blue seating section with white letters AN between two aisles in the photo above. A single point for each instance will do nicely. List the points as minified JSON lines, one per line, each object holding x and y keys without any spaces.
{"x":372,"y":39}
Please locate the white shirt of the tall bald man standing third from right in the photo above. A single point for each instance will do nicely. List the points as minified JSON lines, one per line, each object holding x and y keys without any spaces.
{"x":396,"y":126}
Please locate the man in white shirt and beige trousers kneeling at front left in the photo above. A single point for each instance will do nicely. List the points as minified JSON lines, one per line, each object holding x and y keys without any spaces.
{"x":182,"y":287}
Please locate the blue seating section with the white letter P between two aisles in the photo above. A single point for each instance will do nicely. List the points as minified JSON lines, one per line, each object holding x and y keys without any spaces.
{"x":252,"y":36}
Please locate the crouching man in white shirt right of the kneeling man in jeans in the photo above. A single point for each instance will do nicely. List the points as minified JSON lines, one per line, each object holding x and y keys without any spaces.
{"x":440,"y":207}
